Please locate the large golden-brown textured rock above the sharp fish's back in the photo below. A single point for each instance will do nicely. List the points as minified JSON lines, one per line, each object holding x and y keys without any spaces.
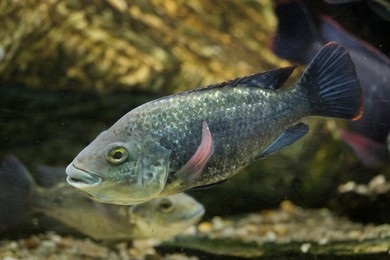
{"x":152,"y":45}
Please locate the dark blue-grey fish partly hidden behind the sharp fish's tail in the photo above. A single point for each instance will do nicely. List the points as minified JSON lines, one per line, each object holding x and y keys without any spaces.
{"x":372,"y":68}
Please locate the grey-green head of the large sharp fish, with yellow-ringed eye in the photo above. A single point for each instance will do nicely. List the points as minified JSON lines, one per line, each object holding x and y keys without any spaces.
{"x":114,"y":170}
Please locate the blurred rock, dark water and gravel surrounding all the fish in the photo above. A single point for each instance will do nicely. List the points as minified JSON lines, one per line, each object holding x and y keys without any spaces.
{"x":70,"y":69}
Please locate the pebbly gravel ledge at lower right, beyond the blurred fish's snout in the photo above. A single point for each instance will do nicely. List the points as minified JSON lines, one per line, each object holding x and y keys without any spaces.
{"x":289,"y":232}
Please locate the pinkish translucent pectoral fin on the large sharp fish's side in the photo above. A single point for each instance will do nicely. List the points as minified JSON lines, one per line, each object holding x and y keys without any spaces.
{"x":194,"y":166}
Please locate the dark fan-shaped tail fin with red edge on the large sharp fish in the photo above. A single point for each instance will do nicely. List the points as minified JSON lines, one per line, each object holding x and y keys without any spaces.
{"x":332,"y":85}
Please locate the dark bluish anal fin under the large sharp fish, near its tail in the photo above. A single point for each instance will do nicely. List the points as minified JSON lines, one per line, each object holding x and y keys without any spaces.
{"x":289,"y":136}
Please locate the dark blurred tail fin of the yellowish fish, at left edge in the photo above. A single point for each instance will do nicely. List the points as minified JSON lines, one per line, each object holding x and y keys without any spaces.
{"x":16,"y":189}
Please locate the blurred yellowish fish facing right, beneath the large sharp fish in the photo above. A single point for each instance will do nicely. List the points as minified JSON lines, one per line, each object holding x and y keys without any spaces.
{"x":160,"y":218}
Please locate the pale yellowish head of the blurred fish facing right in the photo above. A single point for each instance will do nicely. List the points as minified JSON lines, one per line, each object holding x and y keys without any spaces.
{"x":166,"y":217}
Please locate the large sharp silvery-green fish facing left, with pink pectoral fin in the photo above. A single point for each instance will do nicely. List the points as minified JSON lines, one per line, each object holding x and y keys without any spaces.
{"x":205,"y":136}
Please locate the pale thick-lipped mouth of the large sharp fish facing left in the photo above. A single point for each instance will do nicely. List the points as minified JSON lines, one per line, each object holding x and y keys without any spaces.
{"x":81,"y":179}
